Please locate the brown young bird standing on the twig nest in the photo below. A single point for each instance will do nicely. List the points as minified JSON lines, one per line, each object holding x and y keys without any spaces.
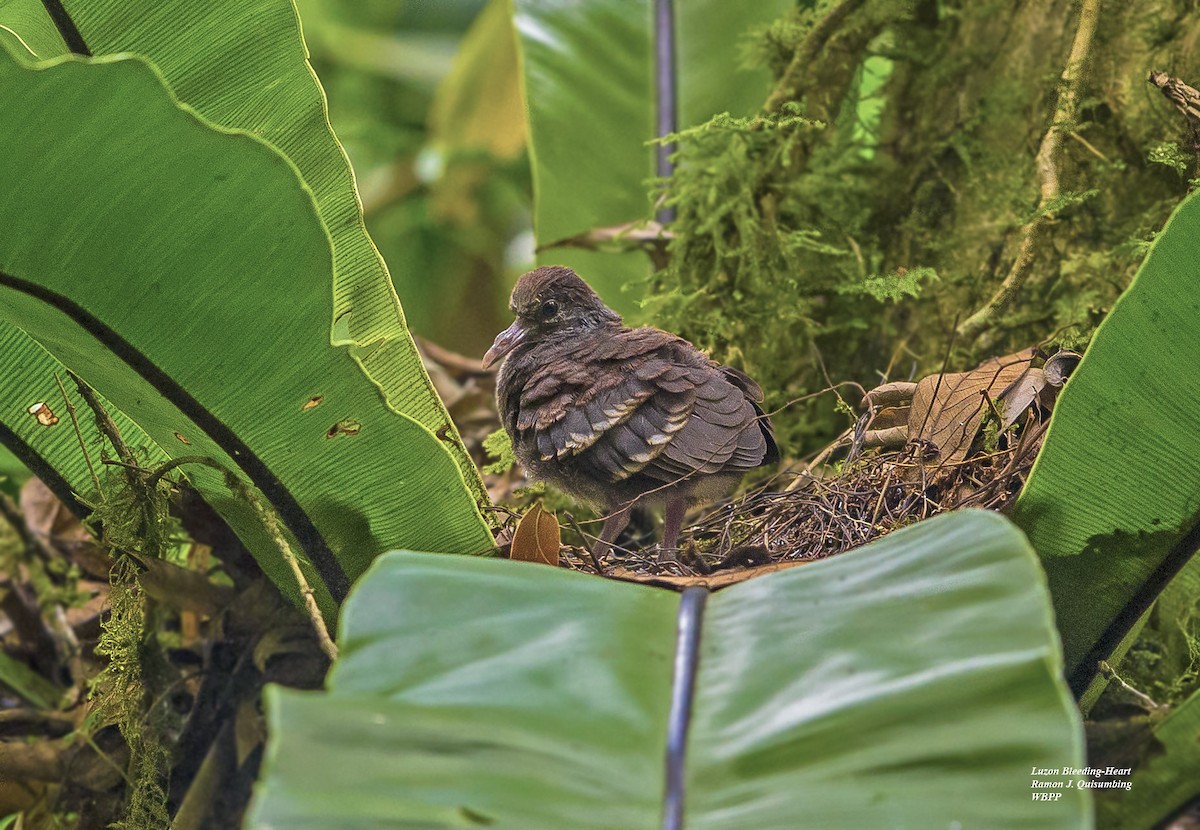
{"x":616,"y":417}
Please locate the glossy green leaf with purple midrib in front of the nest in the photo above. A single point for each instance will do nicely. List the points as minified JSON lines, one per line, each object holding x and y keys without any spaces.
{"x":914,"y":683}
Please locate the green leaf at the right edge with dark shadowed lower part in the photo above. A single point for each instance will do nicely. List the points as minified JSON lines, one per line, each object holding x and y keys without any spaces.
{"x":1113,"y":502}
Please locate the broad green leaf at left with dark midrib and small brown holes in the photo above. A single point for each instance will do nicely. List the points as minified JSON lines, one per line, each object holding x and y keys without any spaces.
{"x":185,"y":273}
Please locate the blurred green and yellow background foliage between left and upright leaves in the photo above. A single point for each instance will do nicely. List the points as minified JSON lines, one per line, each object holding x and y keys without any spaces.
{"x":425,"y":98}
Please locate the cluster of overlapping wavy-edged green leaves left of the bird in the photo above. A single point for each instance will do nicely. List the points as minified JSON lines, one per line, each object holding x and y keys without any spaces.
{"x":292,"y":411}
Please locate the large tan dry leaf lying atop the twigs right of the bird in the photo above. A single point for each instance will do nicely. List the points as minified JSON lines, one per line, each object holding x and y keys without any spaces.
{"x":947,"y":410}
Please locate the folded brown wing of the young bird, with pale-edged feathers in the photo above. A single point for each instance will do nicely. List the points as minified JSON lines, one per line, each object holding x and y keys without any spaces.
{"x":643,"y":405}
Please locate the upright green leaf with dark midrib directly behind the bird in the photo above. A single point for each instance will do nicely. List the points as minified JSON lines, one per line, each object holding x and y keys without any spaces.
{"x":589,"y":74}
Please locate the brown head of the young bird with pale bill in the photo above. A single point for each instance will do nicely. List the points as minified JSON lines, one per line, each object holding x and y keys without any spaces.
{"x":548,"y":302}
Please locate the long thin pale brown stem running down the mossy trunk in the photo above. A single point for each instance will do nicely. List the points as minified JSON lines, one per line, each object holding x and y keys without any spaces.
{"x":1047,"y":163}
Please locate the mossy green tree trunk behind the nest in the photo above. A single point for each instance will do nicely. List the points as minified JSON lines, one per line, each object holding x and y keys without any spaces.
{"x":845,"y":237}
